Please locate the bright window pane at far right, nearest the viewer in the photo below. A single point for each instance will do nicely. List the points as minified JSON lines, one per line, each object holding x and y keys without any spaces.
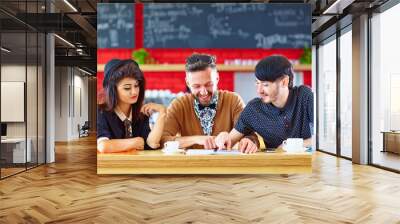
{"x":385,"y":85}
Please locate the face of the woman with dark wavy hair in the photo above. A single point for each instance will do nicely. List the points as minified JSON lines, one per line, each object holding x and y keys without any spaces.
{"x":128,"y":90}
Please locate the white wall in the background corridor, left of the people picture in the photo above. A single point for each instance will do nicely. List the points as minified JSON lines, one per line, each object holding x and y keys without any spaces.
{"x":71,"y":94}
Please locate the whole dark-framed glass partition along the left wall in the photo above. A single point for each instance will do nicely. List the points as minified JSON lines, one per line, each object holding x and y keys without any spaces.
{"x":23,"y":89}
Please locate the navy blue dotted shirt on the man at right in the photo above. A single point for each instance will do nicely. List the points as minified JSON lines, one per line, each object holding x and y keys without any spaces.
{"x":294,"y":120}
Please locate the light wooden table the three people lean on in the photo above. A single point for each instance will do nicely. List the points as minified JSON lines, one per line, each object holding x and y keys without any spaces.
{"x":155,"y":162}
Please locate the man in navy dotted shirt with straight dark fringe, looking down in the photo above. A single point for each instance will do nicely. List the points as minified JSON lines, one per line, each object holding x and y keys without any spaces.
{"x":281,"y":111}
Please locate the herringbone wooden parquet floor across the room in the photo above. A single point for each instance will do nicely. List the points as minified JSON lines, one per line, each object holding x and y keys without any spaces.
{"x":70,"y":191}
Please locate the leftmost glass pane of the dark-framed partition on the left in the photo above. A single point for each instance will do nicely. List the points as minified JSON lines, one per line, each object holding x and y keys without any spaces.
{"x":15,"y":150}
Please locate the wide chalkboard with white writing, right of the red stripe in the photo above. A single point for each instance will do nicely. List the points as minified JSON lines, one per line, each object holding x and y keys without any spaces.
{"x":227,"y":25}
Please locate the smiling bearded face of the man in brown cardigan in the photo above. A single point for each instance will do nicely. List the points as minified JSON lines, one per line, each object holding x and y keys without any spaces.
{"x":203,"y":84}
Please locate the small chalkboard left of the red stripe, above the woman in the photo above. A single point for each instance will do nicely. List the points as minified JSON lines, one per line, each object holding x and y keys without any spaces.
{"x":115,"y":25}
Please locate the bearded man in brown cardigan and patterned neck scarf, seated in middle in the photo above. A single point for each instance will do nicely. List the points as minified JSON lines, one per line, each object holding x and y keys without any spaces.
{"x":196,"y":118}
